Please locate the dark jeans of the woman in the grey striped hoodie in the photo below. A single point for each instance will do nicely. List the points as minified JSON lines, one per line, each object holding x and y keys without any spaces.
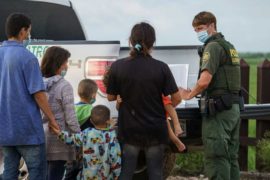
{"x":56,"y":170}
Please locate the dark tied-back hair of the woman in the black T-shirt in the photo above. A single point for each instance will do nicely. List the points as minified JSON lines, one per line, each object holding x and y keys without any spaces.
{"x":144,"y":35}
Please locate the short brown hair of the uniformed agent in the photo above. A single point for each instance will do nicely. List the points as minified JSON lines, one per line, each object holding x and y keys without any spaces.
{"x":204,"y":18}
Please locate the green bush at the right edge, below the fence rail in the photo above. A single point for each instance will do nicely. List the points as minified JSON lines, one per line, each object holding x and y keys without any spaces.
{"x":264,"y":150}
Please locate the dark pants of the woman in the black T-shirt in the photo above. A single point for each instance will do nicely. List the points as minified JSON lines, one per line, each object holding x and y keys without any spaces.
{"x":154,"y":161}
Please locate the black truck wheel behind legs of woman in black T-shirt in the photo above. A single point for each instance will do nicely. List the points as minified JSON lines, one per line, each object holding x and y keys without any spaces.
{"x":168,"y":165}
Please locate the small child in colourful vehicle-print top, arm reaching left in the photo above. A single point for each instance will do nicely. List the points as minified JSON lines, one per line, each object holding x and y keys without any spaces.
{"x":101,"y":150}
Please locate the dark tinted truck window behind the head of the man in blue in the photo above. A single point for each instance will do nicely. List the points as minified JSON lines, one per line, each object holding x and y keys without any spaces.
{"x":51,"y":20}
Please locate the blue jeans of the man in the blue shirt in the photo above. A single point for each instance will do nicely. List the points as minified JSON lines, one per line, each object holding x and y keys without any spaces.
{"x":34,"y":157}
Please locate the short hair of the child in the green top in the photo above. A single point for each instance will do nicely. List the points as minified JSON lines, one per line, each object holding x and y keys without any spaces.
{"x":86,"y":88}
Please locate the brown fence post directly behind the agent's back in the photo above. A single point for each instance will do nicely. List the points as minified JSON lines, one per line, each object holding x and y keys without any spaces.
{"x":243,"y":149}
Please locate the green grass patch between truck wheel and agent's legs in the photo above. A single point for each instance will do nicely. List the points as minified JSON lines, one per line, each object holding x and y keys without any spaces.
{"x":190,"y":163}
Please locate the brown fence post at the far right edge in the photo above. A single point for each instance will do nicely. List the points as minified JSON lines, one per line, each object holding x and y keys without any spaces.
{"x":263,"y":89}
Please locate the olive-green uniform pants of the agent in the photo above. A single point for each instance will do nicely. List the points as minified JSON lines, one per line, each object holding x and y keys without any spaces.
{"x":220,"y":135}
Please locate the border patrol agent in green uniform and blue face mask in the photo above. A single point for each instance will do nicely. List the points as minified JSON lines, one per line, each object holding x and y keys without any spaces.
{"x":219,"y":86}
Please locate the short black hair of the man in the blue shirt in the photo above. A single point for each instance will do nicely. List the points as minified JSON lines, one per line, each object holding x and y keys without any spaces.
{"x":15,"y":22}
